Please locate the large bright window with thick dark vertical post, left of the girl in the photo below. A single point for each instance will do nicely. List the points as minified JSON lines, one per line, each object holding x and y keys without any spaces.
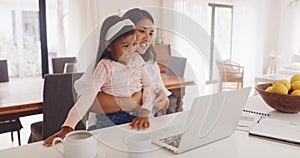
{"x":20,"y":41}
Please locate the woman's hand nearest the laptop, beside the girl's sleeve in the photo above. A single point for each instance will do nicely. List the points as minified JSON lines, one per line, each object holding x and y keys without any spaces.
{"x":161,"y":101}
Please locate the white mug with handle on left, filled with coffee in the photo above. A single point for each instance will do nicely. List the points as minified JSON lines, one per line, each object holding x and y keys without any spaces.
{"x":78,"y":144}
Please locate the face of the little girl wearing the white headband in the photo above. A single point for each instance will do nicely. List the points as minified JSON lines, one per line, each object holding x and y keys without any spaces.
{"x":121,"y":47}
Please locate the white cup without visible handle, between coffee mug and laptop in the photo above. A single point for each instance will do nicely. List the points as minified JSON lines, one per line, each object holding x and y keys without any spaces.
{"x":139,"y":145}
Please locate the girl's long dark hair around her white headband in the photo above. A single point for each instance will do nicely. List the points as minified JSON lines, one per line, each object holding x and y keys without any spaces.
{"x":107,"y":24}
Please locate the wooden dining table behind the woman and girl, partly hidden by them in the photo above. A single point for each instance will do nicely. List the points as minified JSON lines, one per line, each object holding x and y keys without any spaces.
{"x":24,"y":96}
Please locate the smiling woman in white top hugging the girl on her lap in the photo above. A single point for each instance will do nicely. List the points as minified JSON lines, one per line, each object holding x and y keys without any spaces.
{"x":144,"y":31}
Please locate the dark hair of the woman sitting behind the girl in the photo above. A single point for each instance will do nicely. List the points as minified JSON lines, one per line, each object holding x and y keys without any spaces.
{"x":136,"y":15}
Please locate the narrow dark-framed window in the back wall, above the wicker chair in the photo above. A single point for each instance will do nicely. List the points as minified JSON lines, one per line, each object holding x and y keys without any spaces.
{"x":220,"y":25}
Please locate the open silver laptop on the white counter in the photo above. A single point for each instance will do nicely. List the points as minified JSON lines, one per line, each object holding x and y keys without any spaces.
{"x":211,"y":118}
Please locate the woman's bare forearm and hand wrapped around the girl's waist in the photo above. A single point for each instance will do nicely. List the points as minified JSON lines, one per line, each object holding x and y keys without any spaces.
{"x":106,"y":103}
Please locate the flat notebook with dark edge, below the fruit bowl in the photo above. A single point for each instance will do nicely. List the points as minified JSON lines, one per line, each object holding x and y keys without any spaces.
{"x":277,"y":129}
